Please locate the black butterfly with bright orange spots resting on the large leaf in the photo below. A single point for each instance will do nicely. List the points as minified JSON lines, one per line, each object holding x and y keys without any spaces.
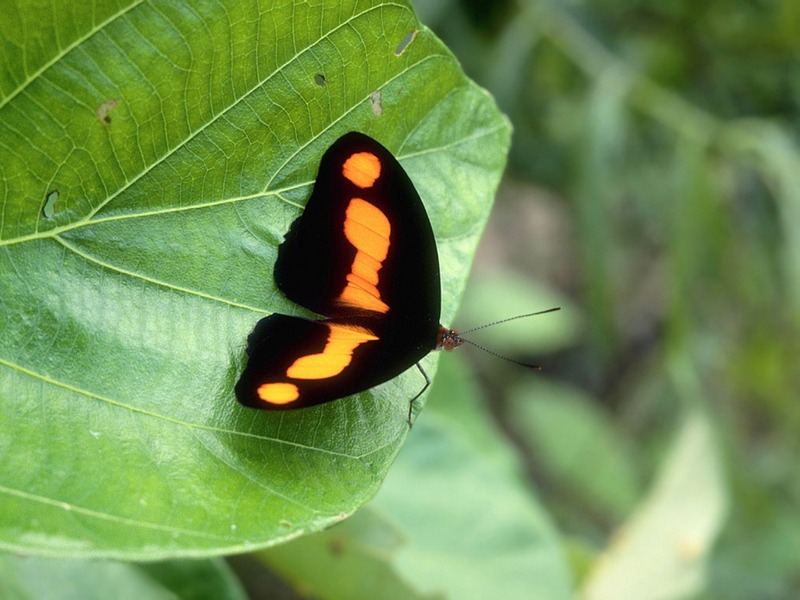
{"x":362,"y":256}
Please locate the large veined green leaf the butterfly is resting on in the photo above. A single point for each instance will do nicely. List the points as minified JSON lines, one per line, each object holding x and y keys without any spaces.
{"x":154,"y":154}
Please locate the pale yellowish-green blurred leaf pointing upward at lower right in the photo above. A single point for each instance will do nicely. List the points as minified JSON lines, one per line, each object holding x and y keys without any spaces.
{"x":662,"y":552}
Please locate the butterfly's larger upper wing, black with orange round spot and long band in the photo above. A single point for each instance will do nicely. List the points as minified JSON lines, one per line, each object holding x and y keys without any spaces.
{"x":321,"y":249}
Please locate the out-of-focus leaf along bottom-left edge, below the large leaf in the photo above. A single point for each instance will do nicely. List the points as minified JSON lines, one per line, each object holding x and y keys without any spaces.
{"x":24,"y":578}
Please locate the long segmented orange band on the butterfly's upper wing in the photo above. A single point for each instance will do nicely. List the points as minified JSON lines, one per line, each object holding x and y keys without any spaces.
{"x":368,"y":229}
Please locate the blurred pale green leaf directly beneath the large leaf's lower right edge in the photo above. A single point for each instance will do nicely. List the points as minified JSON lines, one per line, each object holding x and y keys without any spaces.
{"x":453,"y":519}
